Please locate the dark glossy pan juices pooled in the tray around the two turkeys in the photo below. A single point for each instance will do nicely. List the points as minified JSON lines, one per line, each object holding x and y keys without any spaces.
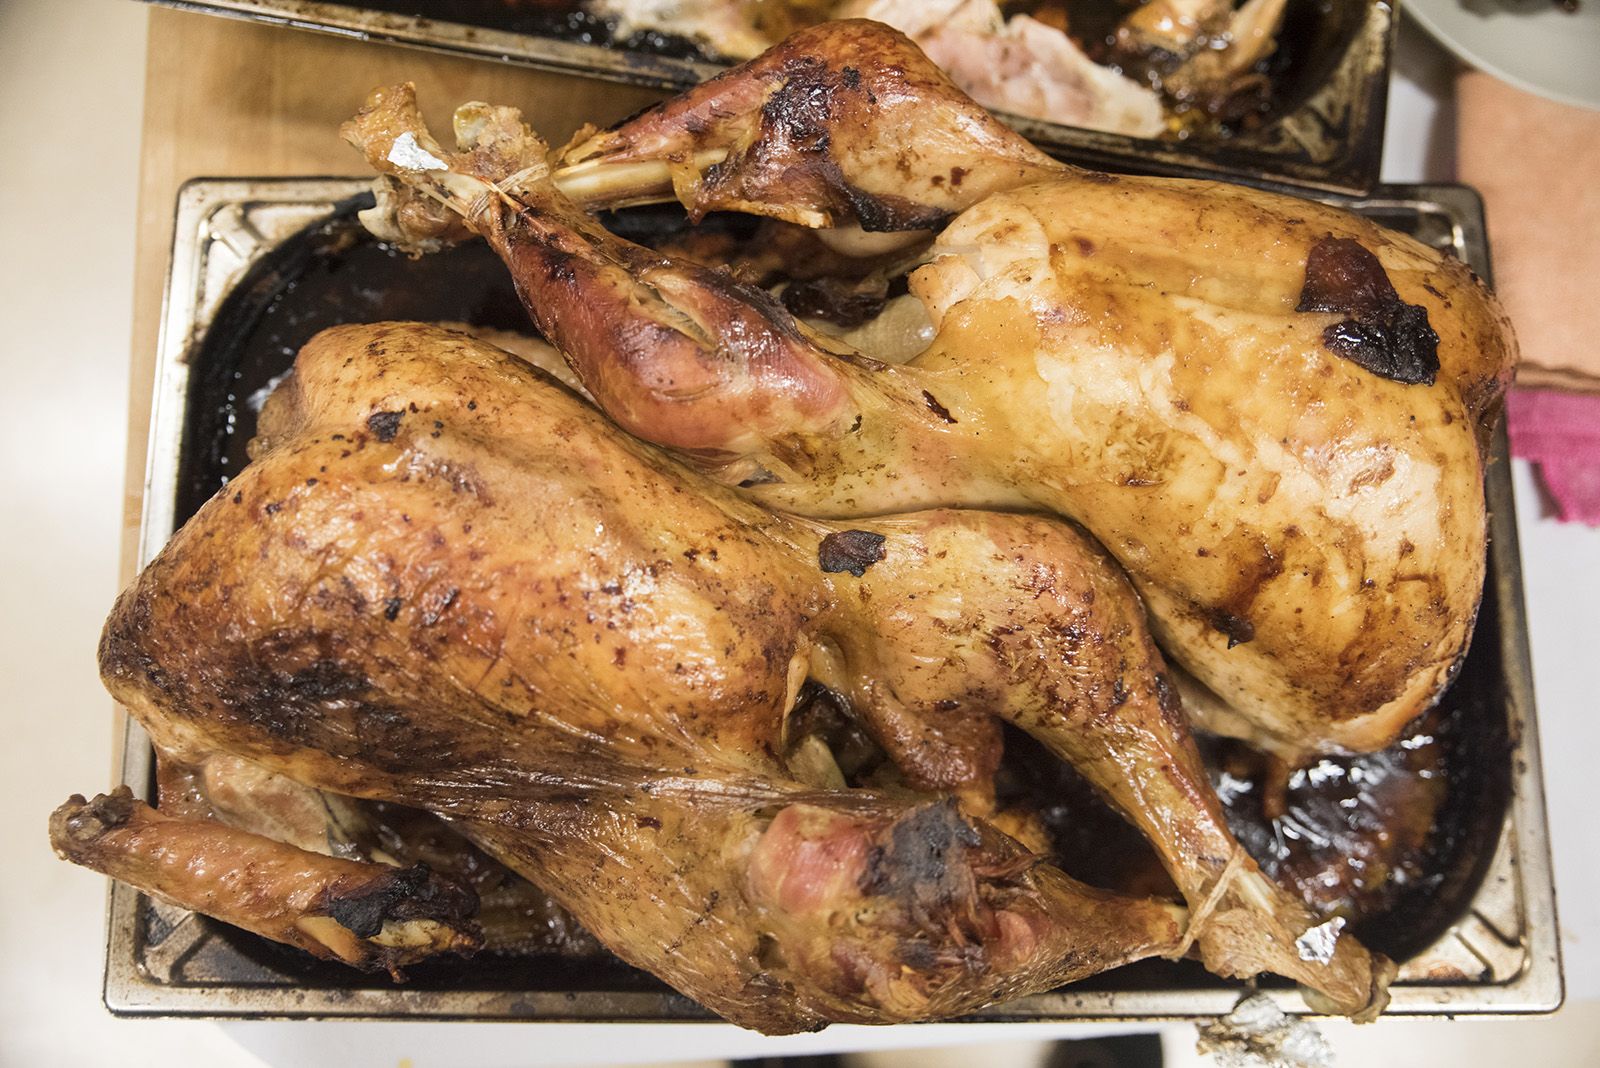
{"x":1398,"y":842}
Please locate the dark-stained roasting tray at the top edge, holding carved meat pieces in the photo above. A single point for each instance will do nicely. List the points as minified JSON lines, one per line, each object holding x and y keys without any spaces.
{"x":1319,"y":122}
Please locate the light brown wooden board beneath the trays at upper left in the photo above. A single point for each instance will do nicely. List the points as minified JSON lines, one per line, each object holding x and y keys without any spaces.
{"x":238,"y":100}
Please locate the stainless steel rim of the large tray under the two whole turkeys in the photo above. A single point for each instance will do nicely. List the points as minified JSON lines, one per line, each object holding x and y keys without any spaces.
{"x":215,"y":242}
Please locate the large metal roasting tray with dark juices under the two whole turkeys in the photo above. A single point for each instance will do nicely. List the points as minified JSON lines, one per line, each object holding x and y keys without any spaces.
{"x":1468,"y":909}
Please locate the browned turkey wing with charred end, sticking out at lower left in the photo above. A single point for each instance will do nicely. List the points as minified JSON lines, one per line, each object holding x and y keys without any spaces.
{"x":367,"y":915}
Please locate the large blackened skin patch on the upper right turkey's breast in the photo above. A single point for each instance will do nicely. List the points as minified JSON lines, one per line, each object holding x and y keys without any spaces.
{"x":1383,"y":333}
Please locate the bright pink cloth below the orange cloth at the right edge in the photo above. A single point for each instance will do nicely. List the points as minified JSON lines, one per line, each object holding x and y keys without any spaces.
{"x":1561,"y":434}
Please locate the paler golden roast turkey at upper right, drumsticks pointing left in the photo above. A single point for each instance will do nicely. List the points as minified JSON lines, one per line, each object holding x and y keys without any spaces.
{"x":1273,"y":413}
